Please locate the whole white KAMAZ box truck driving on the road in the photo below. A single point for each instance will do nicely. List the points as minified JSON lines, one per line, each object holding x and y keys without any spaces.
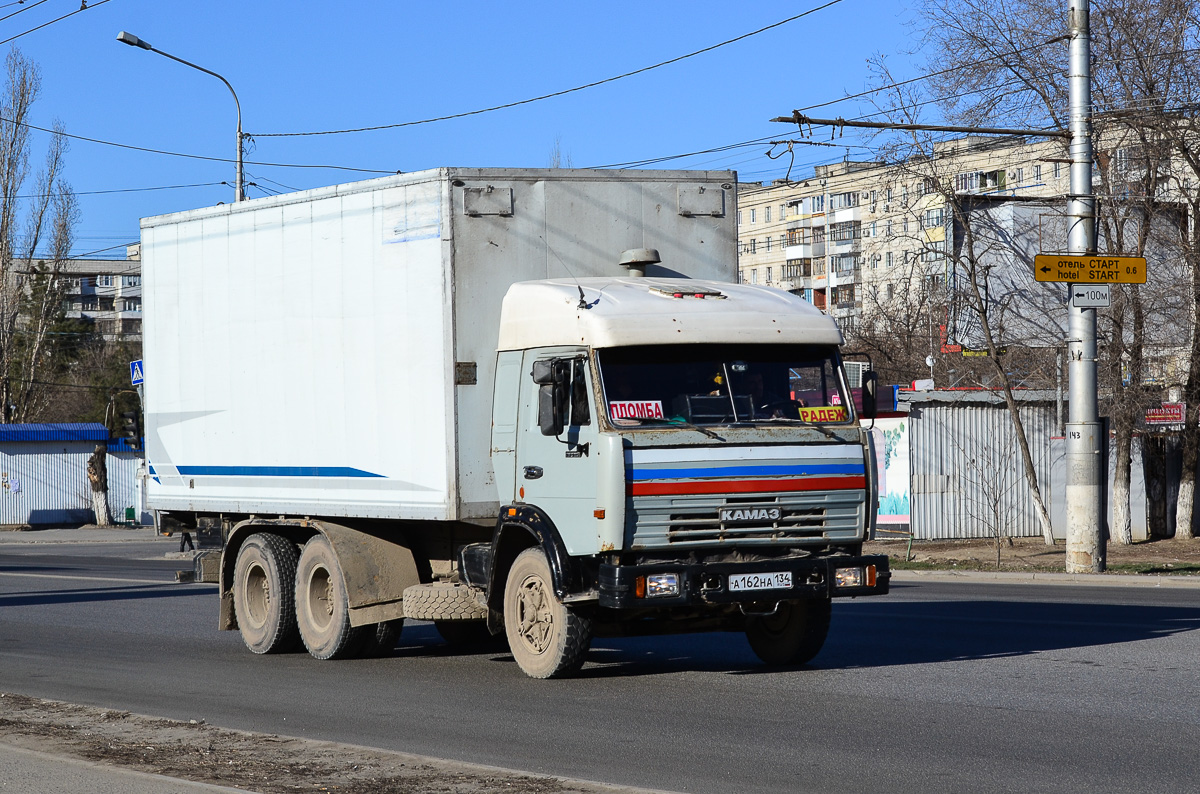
{"x":530,"y":404}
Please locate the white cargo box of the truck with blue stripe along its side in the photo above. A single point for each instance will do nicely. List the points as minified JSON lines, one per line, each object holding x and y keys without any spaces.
{"x":332,"y":352}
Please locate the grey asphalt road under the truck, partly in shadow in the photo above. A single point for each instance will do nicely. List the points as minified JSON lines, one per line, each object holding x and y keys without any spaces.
{"x":939,"y":687}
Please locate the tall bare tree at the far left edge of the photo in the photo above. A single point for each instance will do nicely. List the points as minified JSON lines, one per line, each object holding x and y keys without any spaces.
{"x":37,"y":234}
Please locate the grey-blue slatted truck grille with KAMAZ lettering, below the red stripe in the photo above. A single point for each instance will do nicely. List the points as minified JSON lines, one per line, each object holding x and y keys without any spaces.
{"x":659,"y":522}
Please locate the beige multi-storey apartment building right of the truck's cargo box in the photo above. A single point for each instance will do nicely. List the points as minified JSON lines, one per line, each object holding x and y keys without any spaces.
{"x":859,"y":231}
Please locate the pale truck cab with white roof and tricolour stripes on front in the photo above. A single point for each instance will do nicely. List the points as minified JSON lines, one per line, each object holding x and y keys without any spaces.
{"x":681,"y":453}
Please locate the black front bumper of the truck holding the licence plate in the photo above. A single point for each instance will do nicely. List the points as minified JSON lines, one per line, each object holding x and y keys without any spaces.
{"x":709,"y":584}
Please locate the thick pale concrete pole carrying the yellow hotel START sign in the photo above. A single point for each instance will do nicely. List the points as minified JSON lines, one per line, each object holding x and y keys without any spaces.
{"x":1085,"y":542}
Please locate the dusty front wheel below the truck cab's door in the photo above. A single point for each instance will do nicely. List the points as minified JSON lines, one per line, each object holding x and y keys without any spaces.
{"x":548,"y":640}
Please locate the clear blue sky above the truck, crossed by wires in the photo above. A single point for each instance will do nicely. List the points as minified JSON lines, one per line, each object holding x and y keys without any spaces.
{"x":310,"y":67}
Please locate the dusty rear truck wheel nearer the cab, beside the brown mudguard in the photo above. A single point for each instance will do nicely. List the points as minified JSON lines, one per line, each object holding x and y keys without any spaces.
{"x":323,"y":613}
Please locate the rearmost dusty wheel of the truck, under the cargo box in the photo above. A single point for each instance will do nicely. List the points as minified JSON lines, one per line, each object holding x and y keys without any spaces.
{"x":265,"y":594}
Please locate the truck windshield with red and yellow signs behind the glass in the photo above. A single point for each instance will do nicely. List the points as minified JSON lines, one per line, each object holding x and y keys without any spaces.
{"x":709,"y":384}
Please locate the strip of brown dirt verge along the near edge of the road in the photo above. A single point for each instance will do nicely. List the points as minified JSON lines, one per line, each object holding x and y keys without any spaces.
{"x":263,"y":763}
